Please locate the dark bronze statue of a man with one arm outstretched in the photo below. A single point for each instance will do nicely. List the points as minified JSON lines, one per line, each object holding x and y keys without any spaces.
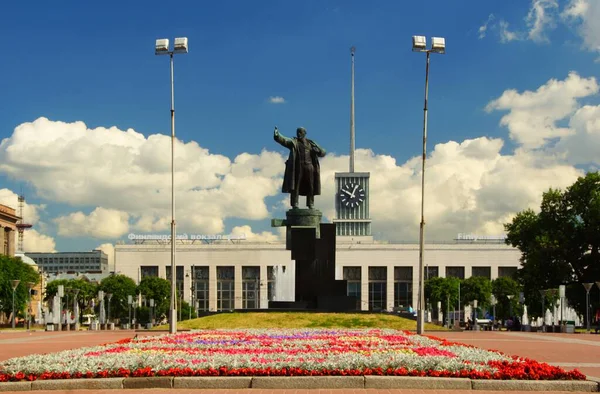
{"x":302,"y":172}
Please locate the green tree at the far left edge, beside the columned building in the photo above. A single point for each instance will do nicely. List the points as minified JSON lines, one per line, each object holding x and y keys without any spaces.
{"x":12,"y":268}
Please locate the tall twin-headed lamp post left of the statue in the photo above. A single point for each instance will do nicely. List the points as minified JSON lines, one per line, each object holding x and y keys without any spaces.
{"x":162,"y":48}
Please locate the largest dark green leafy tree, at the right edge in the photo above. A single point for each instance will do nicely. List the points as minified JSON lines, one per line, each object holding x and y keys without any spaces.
{"x":561,"y":243}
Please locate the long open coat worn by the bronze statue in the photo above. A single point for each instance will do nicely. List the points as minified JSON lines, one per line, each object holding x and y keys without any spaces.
{"x":292,"y":165}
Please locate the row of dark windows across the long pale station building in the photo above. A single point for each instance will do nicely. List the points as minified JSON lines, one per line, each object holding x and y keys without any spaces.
{"x":377,"y":284}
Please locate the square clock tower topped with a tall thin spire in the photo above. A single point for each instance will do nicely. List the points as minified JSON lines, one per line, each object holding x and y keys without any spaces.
{"x":352,"y":219}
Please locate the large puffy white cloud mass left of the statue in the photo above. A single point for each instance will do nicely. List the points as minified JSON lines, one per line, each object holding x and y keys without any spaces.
{"x":125,"y":172}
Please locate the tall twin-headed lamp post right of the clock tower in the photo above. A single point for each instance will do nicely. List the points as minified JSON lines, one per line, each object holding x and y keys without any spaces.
{"x":438,"y":45}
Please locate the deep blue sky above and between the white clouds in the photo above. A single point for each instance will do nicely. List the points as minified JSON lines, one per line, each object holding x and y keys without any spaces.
{"x":94,"y":63}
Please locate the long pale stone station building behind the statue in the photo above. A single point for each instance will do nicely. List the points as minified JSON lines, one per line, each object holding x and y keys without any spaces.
{"x":225,"y":276}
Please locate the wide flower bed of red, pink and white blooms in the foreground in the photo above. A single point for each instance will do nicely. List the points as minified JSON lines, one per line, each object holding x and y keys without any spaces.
{"x":306,"y":352}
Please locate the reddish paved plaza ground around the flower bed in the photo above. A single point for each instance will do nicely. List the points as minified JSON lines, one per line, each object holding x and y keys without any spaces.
{"x":570,"y":351}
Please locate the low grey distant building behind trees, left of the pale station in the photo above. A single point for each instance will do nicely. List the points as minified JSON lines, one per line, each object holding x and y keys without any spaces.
{"x":63,"y":262}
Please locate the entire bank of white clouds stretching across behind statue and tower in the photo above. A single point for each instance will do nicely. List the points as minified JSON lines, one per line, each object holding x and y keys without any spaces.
{"x":471,"y":185}
